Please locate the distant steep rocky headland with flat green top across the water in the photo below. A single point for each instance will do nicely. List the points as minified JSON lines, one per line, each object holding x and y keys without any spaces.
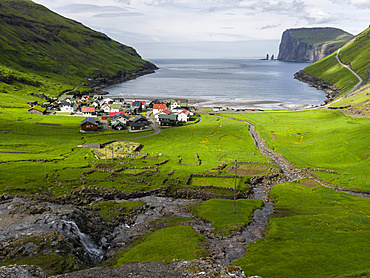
{"x":310,"y":44}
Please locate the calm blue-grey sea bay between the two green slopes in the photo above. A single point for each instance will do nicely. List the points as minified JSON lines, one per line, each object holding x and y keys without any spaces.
{"x":237,"y":83}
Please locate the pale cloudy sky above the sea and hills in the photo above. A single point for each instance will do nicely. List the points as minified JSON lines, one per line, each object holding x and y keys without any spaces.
{"x":210,"y":28}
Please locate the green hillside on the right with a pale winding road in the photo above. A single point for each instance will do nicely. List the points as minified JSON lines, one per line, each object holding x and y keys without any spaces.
{"x":330,"y":75}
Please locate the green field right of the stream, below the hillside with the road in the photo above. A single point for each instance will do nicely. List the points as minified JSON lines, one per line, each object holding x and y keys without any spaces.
{"x":319,"y":139}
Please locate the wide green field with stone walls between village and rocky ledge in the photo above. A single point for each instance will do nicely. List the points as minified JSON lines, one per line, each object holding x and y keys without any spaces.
{"x":46,"y":157}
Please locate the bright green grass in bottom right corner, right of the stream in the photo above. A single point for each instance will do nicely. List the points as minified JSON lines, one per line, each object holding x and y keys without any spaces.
{"x":315,"y":232}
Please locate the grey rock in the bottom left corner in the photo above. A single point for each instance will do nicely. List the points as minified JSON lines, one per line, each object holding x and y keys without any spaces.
{"x":21,"y":271}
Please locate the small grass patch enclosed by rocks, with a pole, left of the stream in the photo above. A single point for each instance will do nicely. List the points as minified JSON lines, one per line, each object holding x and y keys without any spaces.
{"x":221,"y":213}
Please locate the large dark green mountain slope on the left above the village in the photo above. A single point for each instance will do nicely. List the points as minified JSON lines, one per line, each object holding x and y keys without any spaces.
{"x":42,"y":51}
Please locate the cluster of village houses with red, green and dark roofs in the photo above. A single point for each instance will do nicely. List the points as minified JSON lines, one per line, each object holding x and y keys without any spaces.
{"x":114,"y":113}
